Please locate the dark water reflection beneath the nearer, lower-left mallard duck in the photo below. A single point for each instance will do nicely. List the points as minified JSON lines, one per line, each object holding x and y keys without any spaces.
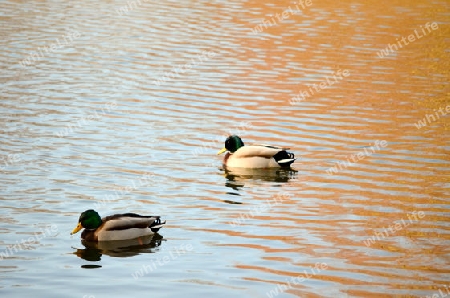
{"x":93,"y":251}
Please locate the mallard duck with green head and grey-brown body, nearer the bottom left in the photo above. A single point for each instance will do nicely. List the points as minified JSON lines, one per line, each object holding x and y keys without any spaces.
{"x":116,"y":227}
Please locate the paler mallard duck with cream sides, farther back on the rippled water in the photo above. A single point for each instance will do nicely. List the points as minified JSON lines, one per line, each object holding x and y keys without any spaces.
{"x":254,"y":156}
